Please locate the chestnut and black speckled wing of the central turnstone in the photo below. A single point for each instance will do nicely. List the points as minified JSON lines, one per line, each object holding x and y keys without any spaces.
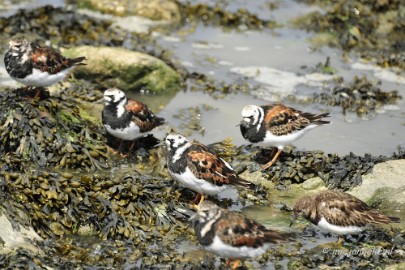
{"x":206,"y":165}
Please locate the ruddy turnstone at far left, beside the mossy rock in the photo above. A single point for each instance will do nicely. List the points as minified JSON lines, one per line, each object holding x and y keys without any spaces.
{"x":33,"y":65}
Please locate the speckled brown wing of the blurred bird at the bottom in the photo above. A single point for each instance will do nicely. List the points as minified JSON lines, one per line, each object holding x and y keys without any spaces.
{"x":237,"y":230}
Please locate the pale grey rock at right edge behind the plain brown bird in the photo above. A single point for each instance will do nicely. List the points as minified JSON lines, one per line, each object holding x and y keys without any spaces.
{"x":386,"y":174}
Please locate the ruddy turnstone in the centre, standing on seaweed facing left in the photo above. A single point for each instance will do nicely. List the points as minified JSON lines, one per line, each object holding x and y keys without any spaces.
{"x":199,"y":168}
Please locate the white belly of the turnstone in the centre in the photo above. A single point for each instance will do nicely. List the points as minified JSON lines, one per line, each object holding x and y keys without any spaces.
{"x":199,"y":185}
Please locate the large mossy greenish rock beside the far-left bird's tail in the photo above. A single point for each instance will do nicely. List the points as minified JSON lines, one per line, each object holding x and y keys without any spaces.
{"x":125,"y":69}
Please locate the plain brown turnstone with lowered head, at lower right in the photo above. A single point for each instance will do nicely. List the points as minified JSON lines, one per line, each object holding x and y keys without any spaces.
{"x":338,"y":212}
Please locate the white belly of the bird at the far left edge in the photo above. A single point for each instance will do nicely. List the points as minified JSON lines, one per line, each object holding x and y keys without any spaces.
{"x":43,"y":79}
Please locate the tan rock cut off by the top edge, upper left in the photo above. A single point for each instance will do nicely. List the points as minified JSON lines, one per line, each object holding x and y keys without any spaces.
{"x":166,"y":10}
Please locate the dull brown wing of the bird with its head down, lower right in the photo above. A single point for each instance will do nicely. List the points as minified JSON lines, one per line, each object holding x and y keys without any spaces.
{"x":343,"y":209}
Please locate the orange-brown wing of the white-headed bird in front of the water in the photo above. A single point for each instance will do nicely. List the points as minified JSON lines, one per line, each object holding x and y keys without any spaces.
{"x":282,"y":120}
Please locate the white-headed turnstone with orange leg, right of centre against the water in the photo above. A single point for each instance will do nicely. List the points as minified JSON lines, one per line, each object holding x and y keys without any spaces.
{"x":277,"y":125}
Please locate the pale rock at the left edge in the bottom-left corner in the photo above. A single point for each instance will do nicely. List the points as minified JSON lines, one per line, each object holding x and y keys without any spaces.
{"x":14,"y":238}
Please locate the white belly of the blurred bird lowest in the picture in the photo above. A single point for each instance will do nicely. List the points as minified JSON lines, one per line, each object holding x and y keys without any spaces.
{"x":223,"y":250}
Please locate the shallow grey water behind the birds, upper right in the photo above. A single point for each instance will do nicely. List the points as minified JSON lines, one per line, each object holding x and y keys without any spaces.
{"x":285,"y":50}
